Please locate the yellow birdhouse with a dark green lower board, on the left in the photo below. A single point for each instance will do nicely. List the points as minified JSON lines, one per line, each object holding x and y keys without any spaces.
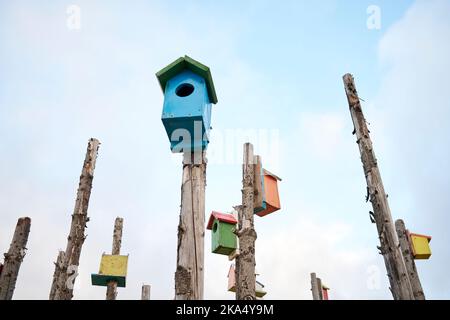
{"x":112,"y":268}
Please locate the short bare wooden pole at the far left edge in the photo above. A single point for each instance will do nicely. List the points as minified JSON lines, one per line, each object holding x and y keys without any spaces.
{"x":14,"y":258}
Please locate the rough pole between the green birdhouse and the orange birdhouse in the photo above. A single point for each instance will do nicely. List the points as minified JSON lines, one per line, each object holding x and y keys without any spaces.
{"x":245,"y":261}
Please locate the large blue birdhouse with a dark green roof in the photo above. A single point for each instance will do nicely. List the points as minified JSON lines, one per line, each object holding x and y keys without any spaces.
{"x":188,"y":95}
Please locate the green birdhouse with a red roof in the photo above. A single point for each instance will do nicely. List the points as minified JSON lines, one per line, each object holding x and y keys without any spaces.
{"x":222,"y":226}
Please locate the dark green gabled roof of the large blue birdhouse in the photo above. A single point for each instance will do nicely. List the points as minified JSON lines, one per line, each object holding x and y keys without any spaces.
{"x":183,"y":63}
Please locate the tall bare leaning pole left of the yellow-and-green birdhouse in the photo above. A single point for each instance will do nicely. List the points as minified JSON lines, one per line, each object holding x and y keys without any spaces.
{"x":65,"y":280}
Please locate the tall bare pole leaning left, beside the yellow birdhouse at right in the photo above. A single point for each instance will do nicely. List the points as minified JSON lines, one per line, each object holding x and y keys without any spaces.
{"x":389,"y":246}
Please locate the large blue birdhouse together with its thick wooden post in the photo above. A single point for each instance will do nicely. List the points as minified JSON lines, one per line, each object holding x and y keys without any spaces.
{"x":188,"y":95}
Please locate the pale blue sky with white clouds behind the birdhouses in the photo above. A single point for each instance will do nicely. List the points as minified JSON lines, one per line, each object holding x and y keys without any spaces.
{"x":71,"y":70}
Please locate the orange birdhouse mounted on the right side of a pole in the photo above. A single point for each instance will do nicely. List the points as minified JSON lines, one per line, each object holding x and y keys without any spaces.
{"x":267,"y":188}
